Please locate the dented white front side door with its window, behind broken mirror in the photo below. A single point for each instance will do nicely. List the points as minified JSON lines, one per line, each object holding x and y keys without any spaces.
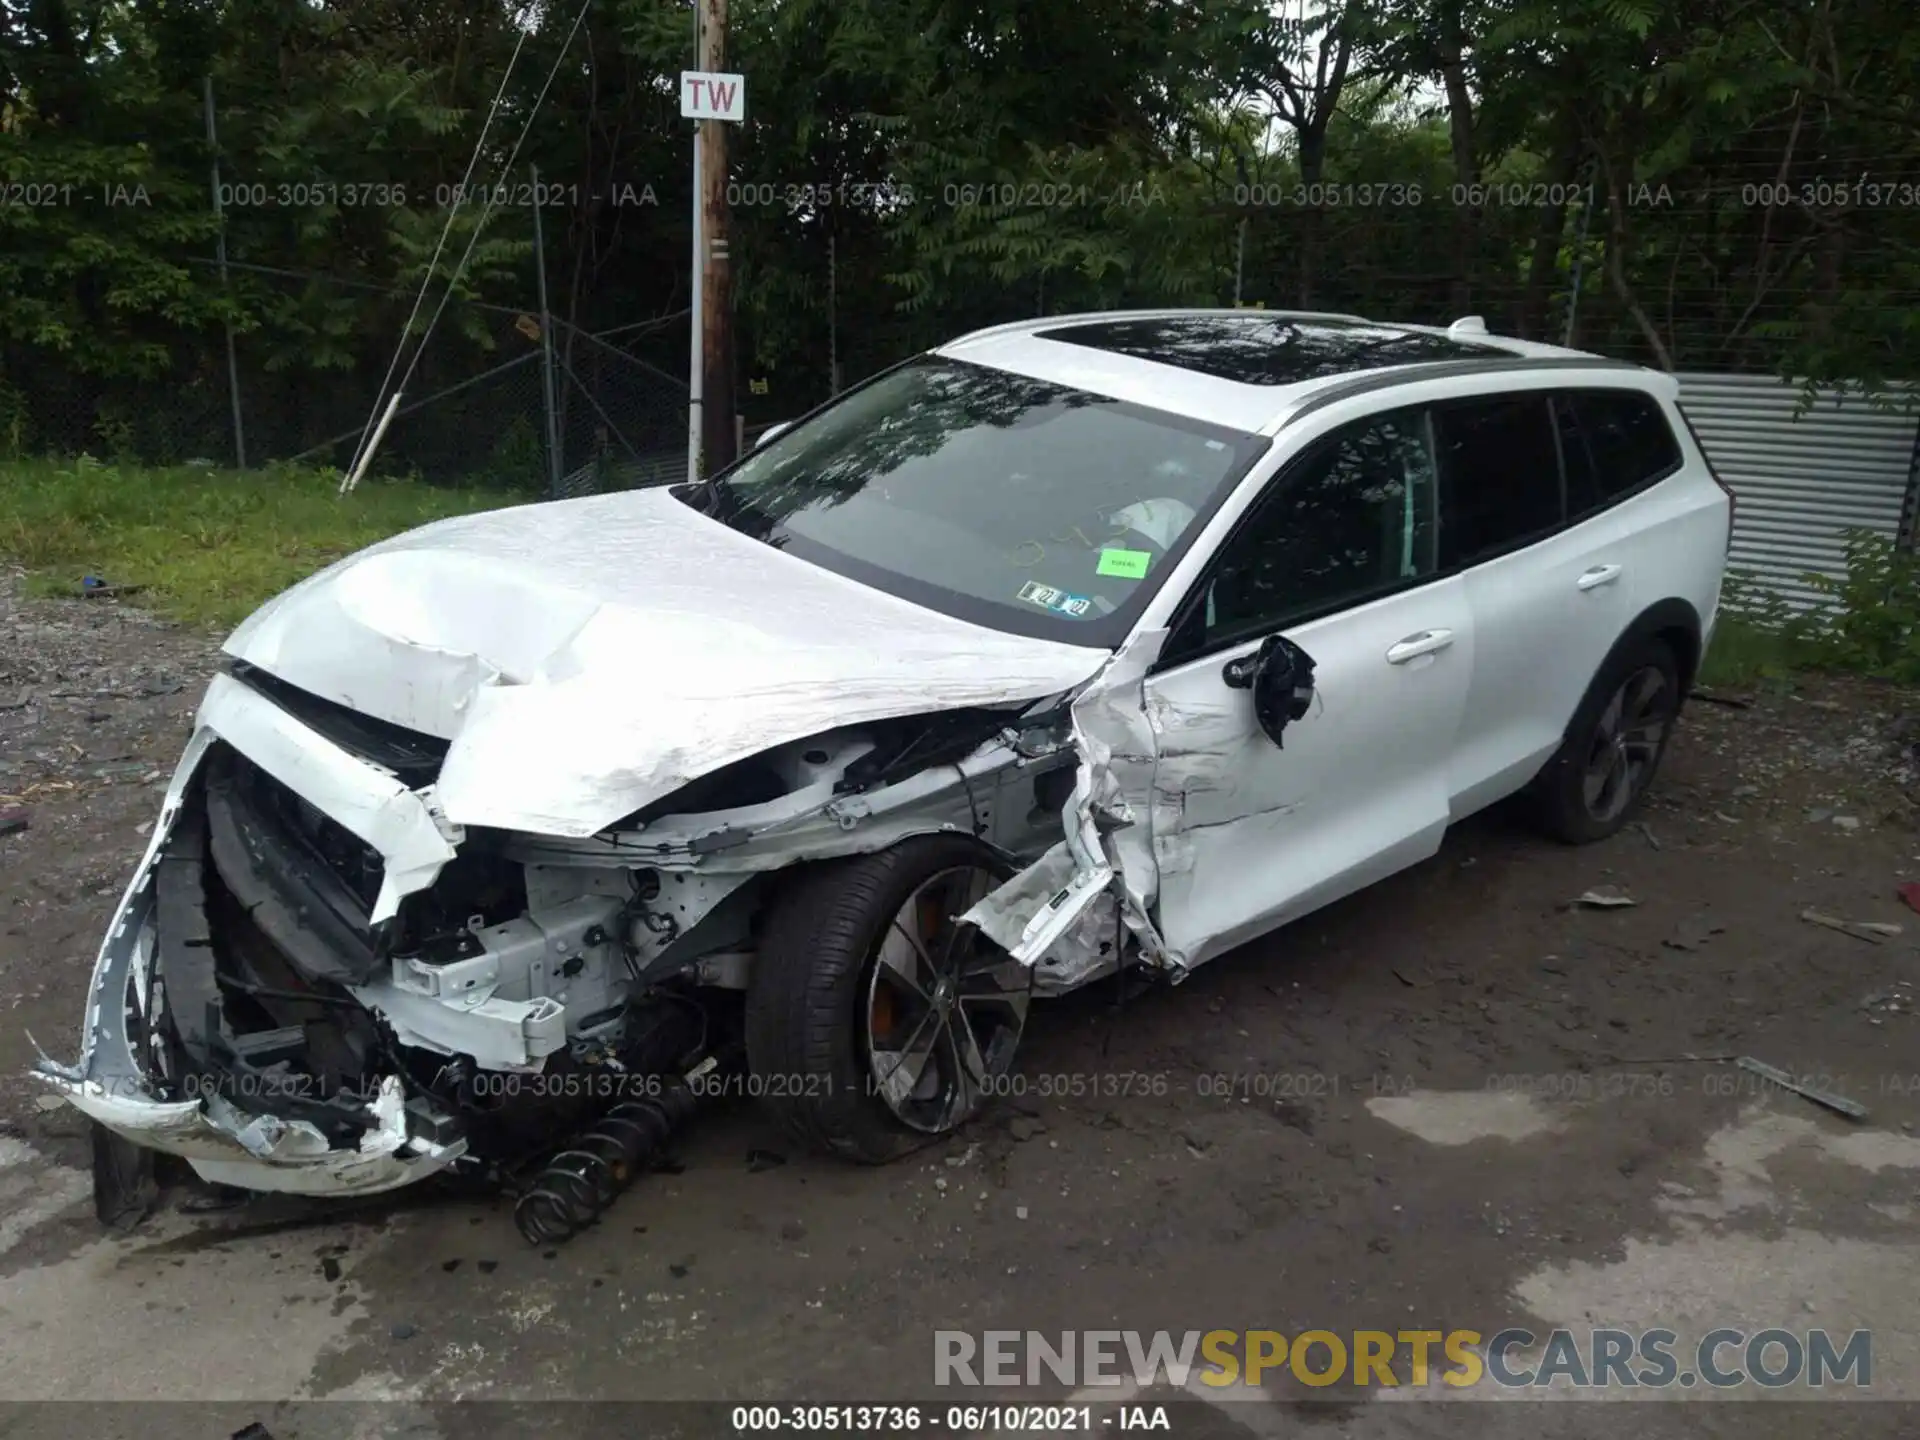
{"x":1341,"y":558}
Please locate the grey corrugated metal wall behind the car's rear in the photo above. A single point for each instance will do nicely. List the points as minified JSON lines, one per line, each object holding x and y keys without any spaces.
{"x":1802,"y":479}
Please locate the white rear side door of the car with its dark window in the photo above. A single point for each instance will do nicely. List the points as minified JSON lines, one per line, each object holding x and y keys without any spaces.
{"x":1548,"y":600}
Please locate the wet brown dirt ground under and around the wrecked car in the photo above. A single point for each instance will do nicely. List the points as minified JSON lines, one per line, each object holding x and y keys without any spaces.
{"x":1447,"y":1103}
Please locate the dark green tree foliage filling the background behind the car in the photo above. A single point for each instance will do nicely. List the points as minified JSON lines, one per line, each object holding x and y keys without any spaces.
{"x":1719,"y":185}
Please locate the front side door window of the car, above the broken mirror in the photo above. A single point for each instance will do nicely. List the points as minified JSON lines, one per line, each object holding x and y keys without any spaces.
{"x":1351,"y":519}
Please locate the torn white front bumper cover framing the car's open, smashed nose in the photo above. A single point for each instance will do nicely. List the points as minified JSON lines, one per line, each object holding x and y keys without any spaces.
{"x":120,"y":1078}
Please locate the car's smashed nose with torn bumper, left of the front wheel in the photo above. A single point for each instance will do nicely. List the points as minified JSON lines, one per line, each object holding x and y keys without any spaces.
{"x":318,"y":984}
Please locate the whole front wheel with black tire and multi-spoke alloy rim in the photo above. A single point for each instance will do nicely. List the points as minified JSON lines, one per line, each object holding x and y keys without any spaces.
{"x":876,"y":1020}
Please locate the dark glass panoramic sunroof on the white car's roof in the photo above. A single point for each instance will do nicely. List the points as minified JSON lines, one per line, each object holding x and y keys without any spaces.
{"x":1264,"y":350}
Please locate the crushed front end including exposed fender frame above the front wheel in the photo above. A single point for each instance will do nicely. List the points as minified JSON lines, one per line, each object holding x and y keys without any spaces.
{"x":320,"y":984}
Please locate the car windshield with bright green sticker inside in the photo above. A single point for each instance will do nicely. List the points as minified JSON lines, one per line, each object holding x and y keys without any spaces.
{"x":1009,"y":502}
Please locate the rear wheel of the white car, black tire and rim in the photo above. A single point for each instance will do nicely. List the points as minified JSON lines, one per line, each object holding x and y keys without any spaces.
{"x":1566,"y":790}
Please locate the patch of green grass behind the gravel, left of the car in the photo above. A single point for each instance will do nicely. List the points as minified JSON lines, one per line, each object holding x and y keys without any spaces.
{"x":206,"y":546}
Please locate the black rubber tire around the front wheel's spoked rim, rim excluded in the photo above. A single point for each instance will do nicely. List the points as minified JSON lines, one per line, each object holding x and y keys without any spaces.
{"x":811,"y":996}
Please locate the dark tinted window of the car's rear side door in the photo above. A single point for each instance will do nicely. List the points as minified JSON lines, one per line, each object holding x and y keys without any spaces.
{"x":1499,"y":475}
